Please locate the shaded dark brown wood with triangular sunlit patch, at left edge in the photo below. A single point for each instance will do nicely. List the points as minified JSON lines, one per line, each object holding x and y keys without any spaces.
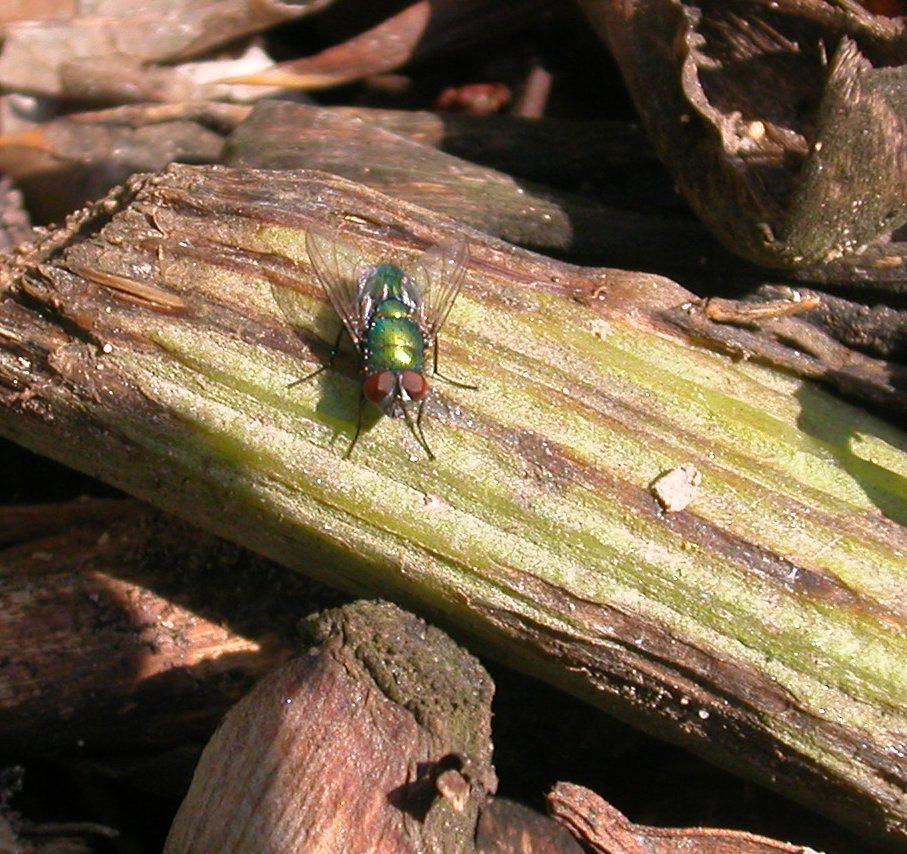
{"x":122,"y":628}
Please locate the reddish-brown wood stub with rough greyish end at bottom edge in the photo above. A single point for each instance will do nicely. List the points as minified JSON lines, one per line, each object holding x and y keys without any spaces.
{"x":377,"y":740}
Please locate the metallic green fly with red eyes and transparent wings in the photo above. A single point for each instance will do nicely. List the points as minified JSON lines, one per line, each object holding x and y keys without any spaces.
{"x":393,"y":316}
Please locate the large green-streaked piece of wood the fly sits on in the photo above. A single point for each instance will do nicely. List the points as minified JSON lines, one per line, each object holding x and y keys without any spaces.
{"x":761,"y":627}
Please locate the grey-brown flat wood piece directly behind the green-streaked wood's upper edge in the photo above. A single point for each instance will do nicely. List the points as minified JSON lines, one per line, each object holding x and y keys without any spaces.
{"x":288,"y":136}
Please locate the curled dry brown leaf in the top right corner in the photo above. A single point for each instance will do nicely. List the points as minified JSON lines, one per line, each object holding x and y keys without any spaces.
{"x":783,"y":123}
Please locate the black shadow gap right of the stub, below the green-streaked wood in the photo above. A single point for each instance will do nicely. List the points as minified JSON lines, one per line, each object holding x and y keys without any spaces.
{"x":543,"y":736}
